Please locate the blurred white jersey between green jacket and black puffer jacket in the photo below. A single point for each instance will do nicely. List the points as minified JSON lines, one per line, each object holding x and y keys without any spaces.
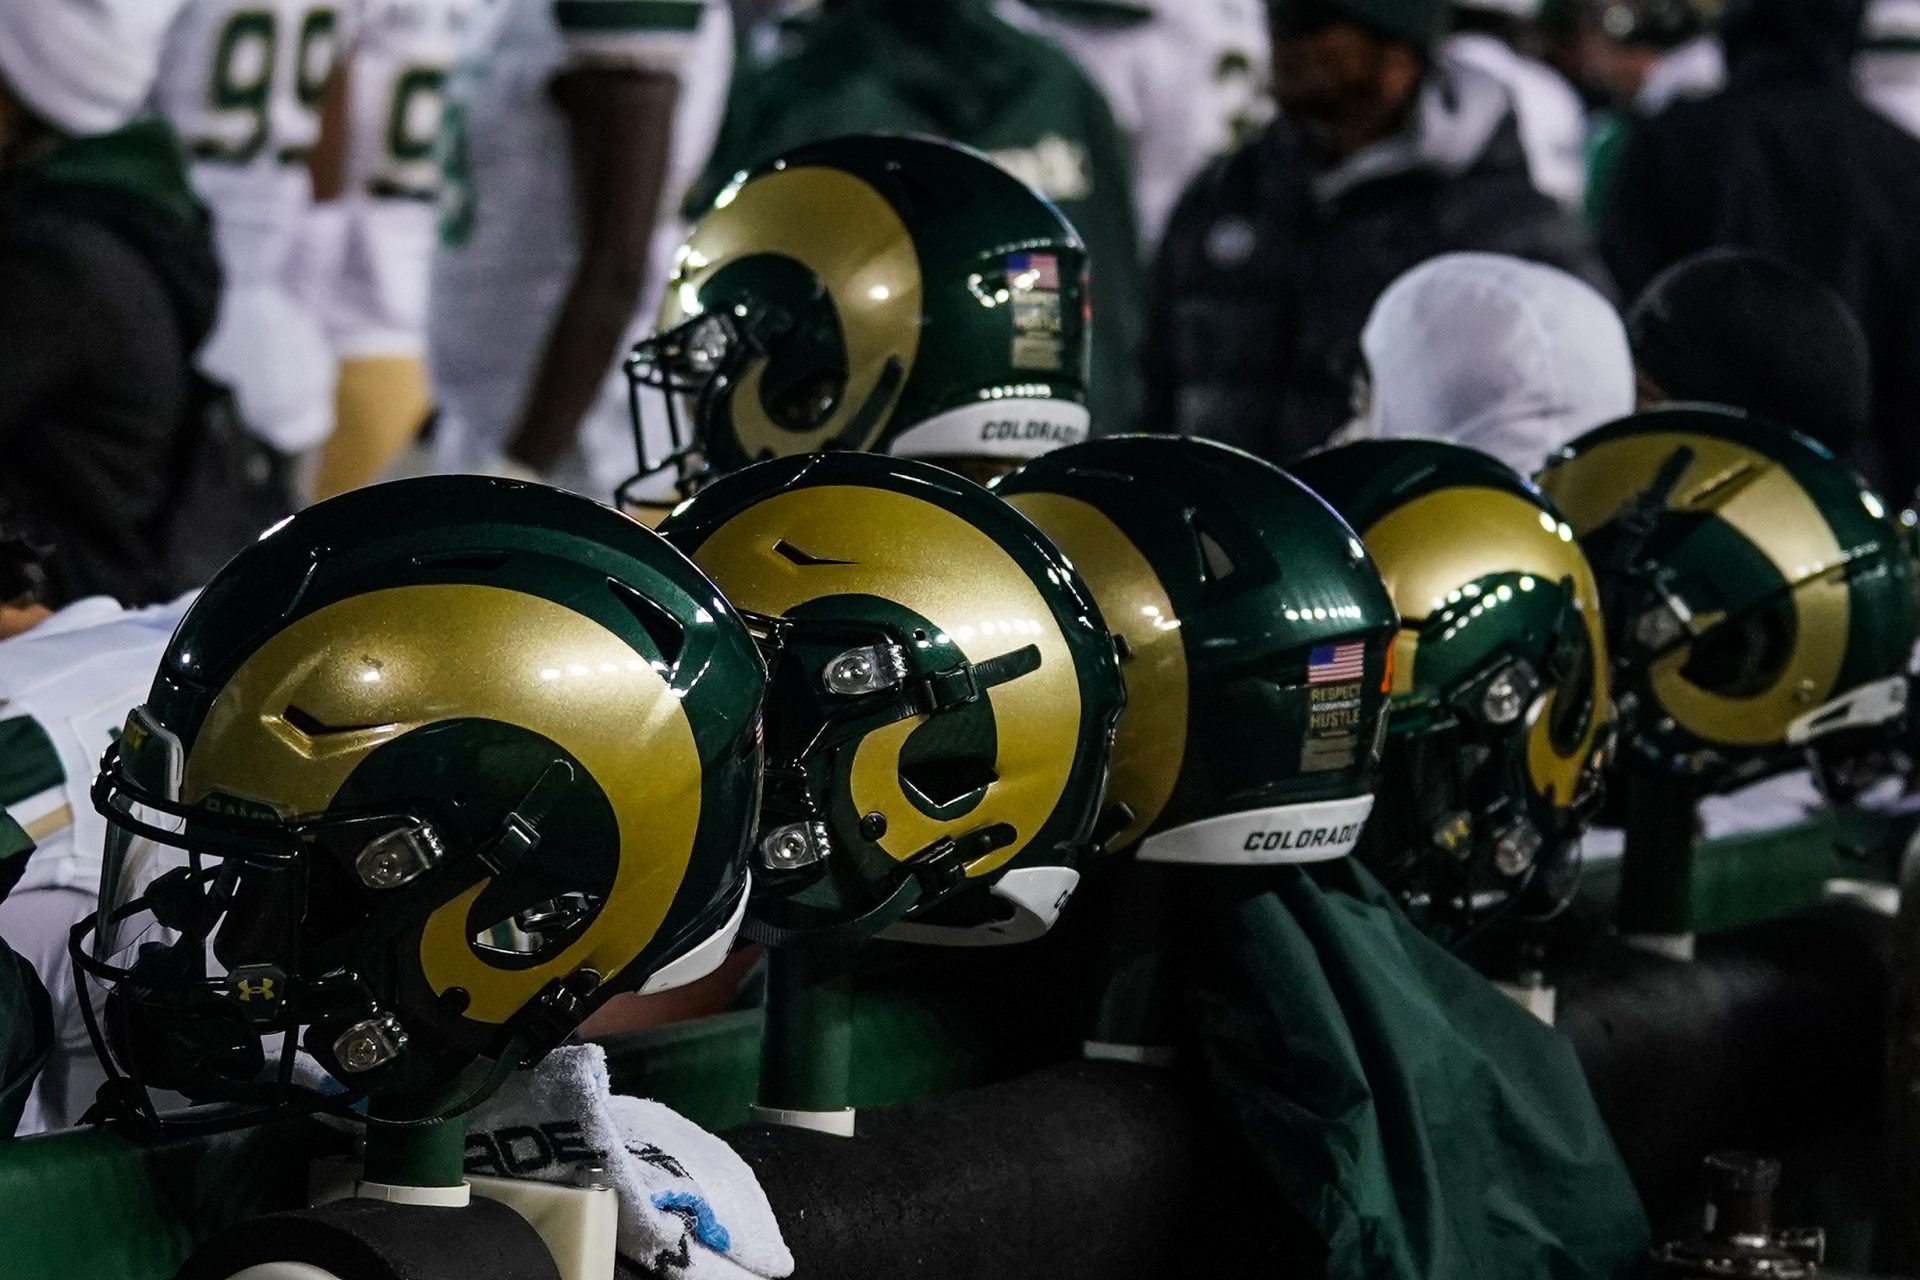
{"x":1186,"y":80}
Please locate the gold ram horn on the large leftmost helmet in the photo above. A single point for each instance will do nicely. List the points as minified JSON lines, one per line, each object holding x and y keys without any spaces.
{"x":385,"y":663}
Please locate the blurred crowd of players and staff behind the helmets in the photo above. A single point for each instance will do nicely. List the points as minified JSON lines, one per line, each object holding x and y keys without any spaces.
{"x":266,"y":252}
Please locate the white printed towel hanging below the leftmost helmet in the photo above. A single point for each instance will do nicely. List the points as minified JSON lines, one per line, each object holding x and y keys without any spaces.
{"x":690,"y":1206}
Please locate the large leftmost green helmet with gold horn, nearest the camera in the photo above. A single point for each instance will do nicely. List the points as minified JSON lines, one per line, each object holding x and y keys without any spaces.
{"x":427,"y":776}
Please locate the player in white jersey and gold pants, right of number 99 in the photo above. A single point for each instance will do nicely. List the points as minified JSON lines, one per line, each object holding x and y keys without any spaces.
{"x":377,"y":189}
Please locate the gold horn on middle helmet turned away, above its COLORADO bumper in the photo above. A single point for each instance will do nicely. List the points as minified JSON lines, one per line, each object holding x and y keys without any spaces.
{"x":1151,"y":744}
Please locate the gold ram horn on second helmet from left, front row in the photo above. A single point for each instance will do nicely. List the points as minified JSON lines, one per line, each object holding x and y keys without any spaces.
{"x":934,"y":563}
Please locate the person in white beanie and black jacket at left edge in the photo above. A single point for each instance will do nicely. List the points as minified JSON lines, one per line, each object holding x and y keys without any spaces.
{"x":110,"y":287}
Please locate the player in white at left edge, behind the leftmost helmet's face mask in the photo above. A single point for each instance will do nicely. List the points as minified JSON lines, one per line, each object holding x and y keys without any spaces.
{"x":66,"y":688}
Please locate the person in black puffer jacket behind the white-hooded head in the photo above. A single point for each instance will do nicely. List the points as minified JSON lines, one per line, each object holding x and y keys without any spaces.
{"x":1385,"y":154}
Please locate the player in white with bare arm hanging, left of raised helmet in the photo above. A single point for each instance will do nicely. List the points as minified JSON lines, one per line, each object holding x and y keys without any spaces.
{"x":573,"y":131}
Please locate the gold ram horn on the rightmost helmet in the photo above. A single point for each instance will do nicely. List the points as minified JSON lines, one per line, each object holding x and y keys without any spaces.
{"x":1775,"y":513}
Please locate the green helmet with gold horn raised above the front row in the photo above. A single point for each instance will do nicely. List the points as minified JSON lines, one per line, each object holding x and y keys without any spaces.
{"x":875,"y":293}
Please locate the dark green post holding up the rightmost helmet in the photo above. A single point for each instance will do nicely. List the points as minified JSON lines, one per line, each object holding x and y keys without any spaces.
{"x":1656,"y":909}
